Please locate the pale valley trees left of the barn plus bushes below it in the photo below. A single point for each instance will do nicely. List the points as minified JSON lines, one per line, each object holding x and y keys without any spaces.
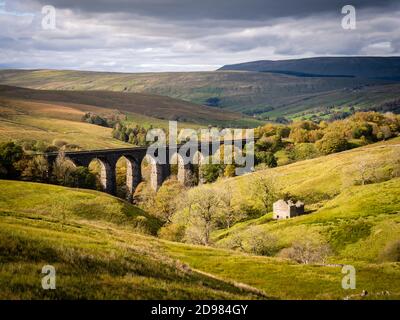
{"x":192,"y":215}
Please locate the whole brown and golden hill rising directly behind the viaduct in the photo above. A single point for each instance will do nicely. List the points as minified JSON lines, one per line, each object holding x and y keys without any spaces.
{"x":35,"y":115}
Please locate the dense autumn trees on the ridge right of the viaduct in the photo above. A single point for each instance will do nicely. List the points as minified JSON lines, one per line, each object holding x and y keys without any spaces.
{"x":307,"y":139}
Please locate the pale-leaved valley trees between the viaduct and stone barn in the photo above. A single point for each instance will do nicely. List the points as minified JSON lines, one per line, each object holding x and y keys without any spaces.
{"x":191,"y":215}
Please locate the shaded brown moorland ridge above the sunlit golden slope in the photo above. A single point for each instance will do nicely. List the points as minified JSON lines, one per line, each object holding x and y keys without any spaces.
{"x":159,"y":107}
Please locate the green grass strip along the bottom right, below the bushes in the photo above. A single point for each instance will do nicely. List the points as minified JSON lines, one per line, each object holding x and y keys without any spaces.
{"x":282,"y":279}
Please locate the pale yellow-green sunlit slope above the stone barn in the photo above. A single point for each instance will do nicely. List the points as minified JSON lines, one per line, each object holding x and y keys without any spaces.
{"x":321,"y":179}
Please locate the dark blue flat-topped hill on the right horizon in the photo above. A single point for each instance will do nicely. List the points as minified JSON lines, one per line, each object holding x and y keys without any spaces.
{"x":366,"y":67}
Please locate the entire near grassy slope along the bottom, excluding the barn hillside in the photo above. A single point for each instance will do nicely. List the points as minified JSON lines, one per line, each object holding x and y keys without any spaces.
{"x":99,"y":247}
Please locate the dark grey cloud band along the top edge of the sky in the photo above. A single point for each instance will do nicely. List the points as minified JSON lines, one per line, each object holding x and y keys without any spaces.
{"x":216,"y":9}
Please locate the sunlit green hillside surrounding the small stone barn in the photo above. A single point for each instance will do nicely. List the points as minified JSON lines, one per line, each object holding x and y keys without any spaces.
{"x":326,"y":185}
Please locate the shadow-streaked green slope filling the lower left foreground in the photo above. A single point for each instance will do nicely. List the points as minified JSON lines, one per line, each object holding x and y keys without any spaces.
{"x":97,"y":246}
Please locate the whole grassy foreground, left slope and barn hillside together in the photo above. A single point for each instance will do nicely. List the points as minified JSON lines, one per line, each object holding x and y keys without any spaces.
{"x":102,"y":249}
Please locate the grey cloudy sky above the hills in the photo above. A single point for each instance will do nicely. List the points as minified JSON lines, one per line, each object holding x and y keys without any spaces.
{"x":189,"y":35}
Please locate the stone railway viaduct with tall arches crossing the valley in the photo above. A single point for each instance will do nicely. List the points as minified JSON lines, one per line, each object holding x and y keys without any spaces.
{"x":134,"y":156}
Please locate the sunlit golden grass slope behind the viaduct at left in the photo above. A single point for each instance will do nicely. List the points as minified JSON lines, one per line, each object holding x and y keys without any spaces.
{"x":26,"y":120}
